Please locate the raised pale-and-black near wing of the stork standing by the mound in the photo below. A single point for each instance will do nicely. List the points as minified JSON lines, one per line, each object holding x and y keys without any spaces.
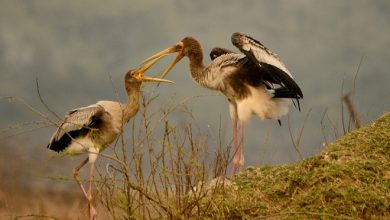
{"x":269,"y":62}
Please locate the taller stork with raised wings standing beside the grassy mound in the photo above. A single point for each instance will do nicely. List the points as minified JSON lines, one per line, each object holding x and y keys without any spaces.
{"x":254,"y":82}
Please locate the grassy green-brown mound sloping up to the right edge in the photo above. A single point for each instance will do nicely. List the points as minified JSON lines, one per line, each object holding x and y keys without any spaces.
{"x":350,"y":179}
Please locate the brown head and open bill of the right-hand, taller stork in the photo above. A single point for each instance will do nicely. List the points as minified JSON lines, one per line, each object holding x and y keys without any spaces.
{"x":189,"y":47}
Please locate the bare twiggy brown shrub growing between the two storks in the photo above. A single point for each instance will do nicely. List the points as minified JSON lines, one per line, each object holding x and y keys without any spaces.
{"x":161,"y":175}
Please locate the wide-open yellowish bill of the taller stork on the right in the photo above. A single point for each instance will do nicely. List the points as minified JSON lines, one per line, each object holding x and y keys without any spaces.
{"x":156,"y":57}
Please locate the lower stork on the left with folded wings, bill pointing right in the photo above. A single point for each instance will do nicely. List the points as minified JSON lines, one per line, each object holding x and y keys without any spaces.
{"x":89,"y":130}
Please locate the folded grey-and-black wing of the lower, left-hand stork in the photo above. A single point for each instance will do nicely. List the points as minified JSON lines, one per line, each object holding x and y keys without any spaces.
{"x":77,"y":122}
